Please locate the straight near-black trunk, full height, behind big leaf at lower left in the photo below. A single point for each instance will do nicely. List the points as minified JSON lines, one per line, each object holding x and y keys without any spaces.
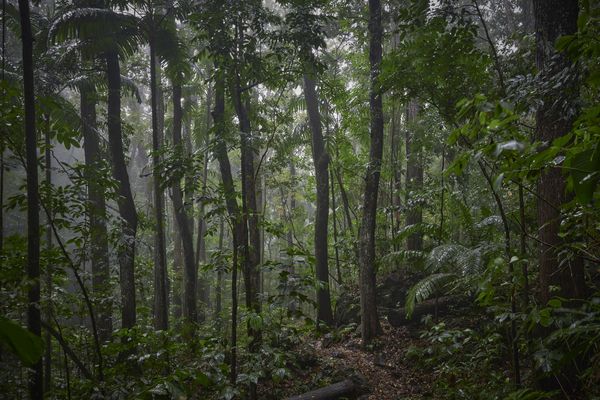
{"x":36,"y":391}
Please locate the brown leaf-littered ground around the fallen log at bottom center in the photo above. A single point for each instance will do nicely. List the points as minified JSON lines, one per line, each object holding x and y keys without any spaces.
{"x":383,"y":372}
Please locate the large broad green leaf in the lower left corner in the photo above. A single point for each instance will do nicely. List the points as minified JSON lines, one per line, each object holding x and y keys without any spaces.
{"x":24,"y":344}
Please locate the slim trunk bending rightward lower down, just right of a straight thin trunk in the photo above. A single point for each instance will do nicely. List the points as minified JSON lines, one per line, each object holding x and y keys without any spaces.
{"x":190,"y":312}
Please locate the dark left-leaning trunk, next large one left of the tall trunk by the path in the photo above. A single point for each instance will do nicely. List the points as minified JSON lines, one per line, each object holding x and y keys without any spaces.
{"x":321,"y":162}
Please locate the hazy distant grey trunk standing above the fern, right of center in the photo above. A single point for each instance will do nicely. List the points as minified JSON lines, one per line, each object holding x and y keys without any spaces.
{"x":414,"y":176}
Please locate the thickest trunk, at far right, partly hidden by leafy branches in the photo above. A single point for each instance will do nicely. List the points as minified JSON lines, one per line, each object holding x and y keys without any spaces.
{"x":554,"y":18}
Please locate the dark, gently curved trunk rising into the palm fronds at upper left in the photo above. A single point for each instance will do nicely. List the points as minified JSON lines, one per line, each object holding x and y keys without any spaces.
{"x":125,"y":202}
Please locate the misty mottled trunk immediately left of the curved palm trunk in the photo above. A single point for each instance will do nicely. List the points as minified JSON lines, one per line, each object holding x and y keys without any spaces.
{"x":96,"y":213}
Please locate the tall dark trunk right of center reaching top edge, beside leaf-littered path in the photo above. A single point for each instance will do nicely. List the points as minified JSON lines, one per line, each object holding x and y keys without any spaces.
{"x":368,"y":303}
